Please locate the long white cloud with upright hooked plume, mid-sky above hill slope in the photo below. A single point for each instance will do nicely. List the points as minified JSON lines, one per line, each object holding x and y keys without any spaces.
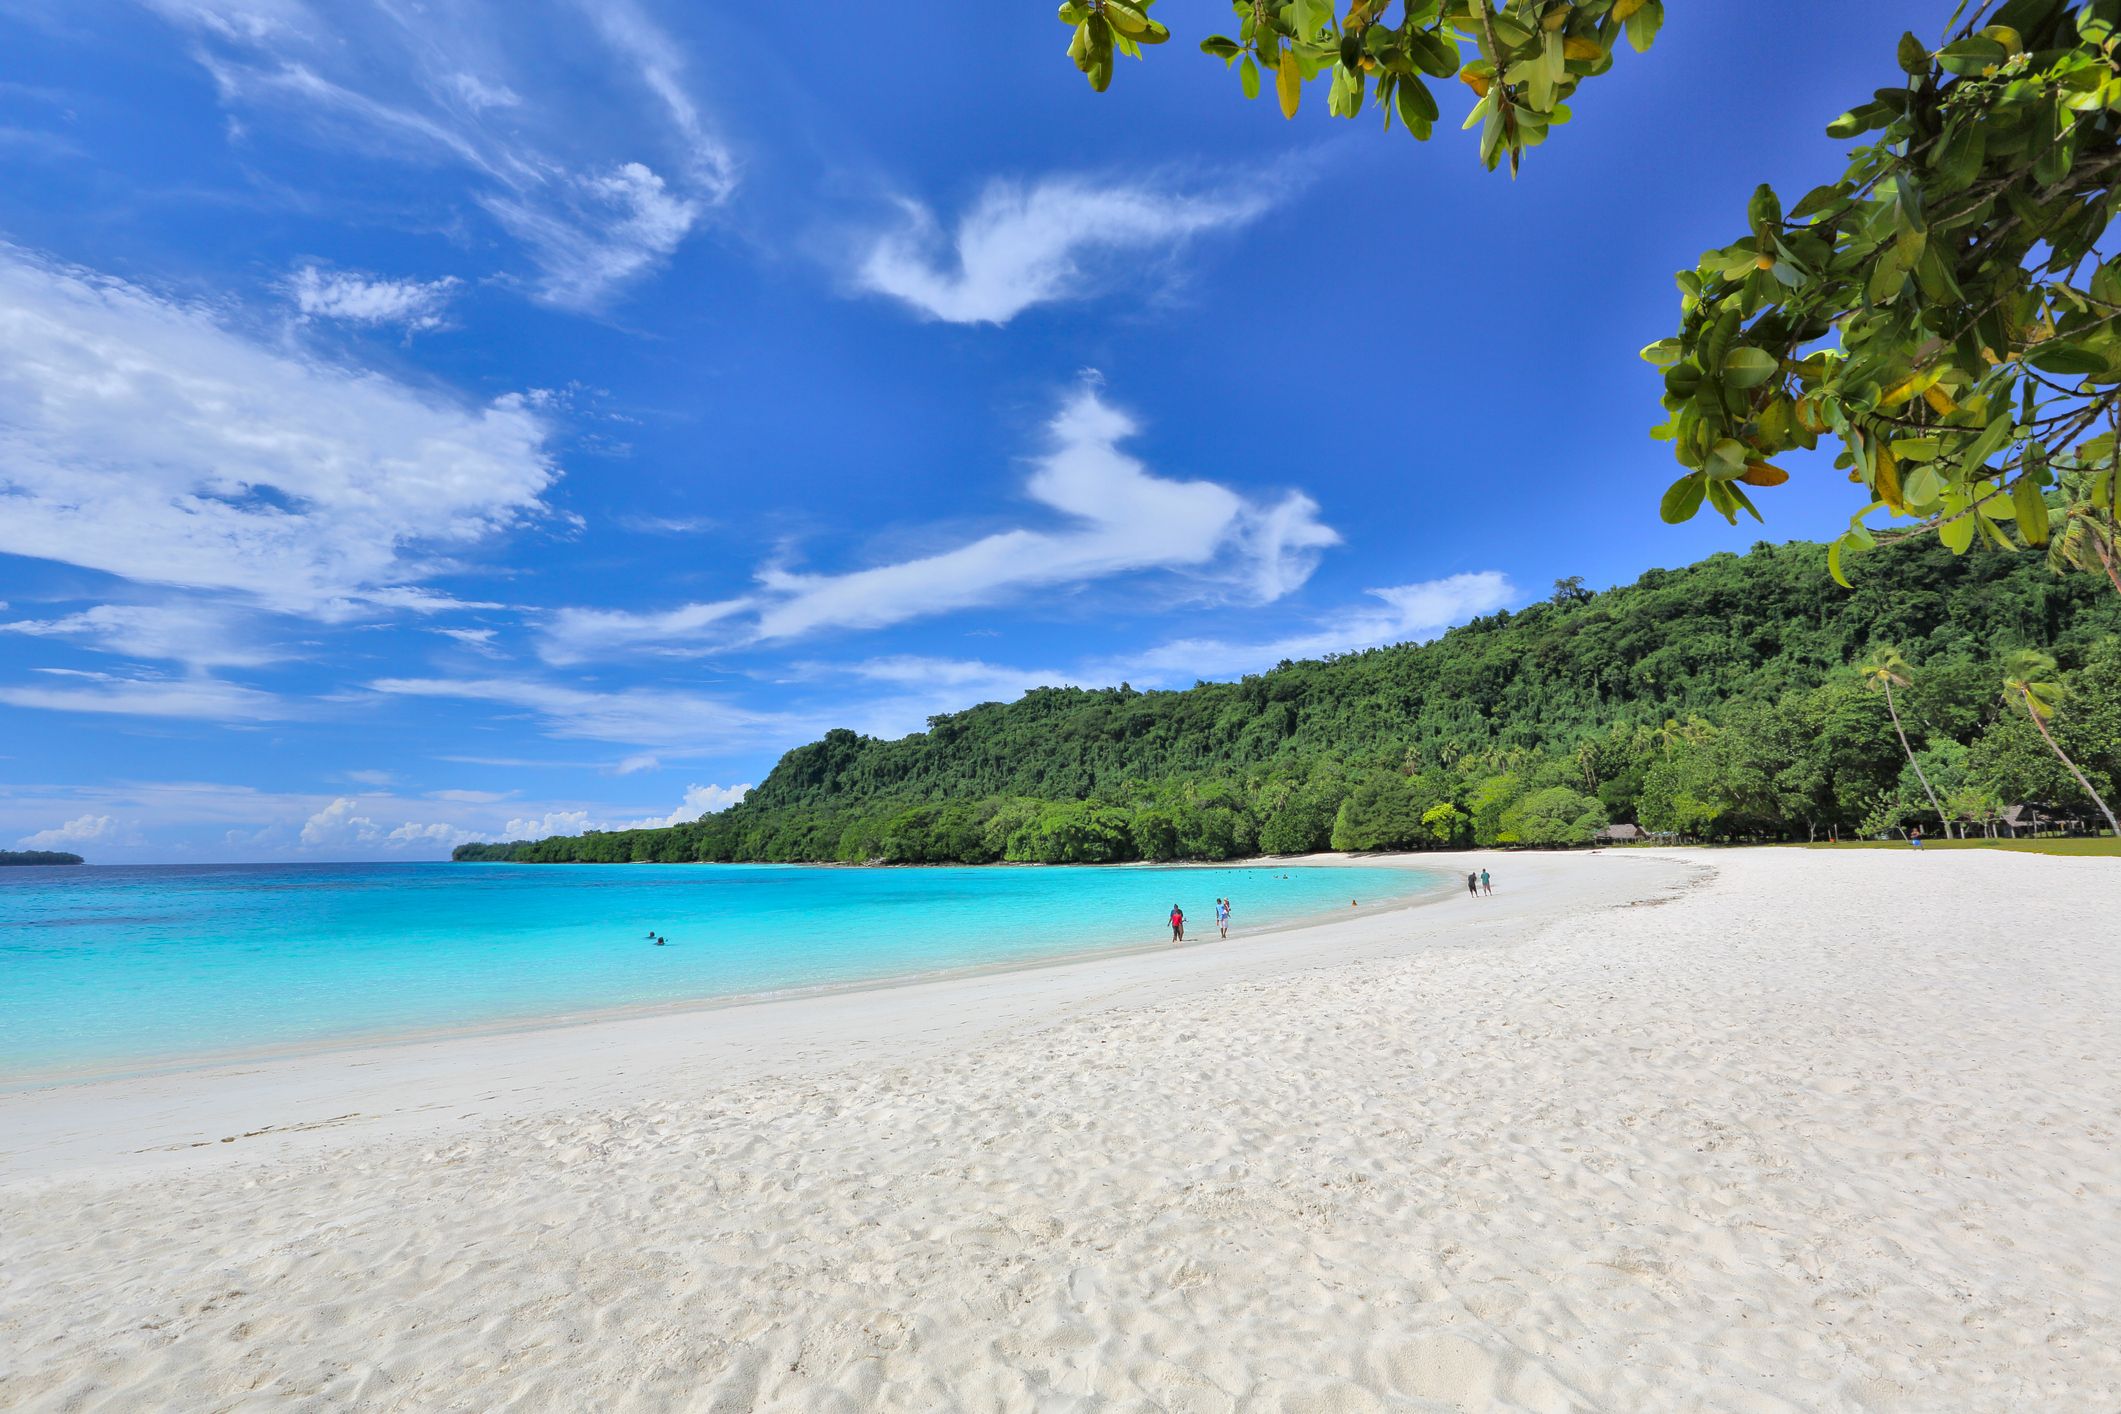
{"x":1119,"y":518}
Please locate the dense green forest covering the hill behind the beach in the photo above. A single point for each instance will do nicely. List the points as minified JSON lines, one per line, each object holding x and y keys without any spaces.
{"x":1717,"y":703}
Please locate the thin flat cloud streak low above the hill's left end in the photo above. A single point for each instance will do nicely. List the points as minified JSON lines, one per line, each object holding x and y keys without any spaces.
{"x":633,"y":718}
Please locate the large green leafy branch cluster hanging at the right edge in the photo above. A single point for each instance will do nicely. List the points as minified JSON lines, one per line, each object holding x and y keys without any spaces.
{"x":1942,"y":311}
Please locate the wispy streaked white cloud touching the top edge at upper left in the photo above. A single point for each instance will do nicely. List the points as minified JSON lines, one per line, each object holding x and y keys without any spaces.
{"x":597,"y":183}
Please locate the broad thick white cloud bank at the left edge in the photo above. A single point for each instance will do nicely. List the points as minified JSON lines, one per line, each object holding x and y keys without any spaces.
{"x":145,"y":440}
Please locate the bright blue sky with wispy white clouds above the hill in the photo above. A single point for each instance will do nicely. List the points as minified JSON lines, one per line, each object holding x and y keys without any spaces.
{"x":442,"y":421}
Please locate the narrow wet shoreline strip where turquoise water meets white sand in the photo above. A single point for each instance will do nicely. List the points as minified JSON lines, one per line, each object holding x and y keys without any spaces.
{"x":27,"y":1082}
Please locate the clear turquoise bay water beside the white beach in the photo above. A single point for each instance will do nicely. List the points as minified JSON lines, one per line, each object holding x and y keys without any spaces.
{"x":128,"y":970}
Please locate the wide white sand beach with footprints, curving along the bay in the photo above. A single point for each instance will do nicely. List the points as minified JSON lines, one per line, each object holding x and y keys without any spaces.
{"x":1647,"y":1131}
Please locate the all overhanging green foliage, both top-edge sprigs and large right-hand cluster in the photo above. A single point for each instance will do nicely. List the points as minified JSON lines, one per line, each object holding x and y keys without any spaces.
{"x":1944,"y":311}
